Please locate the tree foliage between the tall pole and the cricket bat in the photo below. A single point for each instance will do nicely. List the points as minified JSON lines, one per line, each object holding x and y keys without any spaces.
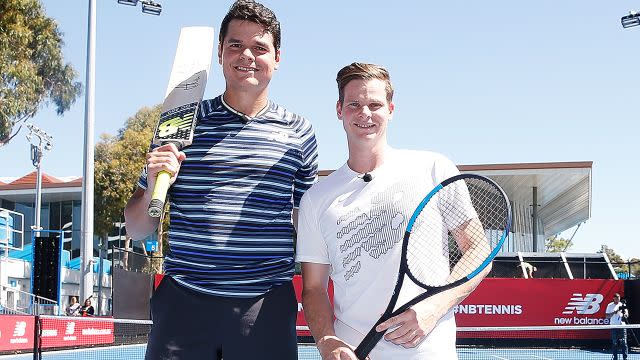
{"x":118,"y":162}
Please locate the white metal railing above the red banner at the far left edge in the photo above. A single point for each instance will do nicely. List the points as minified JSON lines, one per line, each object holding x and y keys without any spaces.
{"x":17,"y":302}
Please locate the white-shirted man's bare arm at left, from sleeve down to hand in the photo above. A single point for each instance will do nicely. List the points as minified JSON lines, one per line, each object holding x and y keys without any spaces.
{"x":319,"y":314}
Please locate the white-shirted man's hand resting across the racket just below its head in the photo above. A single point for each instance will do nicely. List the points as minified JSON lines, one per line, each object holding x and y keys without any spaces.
{"x":413,"y":325}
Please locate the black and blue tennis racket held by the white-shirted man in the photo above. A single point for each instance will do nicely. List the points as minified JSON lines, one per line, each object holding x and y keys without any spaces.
{"x":453,"y":234}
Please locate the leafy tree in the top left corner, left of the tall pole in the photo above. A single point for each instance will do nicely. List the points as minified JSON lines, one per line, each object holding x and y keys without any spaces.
{"x":32,"y":70}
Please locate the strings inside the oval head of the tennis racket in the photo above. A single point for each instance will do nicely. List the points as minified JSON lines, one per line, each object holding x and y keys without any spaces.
{"x":456,"y":231}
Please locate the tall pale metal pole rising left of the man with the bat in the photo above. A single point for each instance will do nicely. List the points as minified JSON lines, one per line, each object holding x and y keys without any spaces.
{"x":86,"y":244}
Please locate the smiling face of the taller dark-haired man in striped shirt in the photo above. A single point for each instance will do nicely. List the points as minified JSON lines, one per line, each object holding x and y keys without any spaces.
{"x":247,"y":56}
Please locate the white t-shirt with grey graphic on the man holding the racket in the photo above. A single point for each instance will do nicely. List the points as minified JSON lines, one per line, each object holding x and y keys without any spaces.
{"x":357,"y":228}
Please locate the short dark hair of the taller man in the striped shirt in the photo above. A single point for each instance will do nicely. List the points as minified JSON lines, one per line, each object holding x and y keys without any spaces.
{"x":255,"y":12}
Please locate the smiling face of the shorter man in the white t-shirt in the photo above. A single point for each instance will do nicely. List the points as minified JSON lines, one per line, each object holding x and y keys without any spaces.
{"x":365,"y":111}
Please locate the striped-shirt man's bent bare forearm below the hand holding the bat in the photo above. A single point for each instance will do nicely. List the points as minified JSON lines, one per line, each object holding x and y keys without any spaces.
{"x":139,"y":223}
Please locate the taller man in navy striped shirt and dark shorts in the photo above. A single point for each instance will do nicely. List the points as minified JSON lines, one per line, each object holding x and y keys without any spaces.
{"x":227,"y":290}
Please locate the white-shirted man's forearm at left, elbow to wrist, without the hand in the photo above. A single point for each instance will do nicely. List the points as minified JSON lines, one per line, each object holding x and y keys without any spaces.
{"x":318,"y":313}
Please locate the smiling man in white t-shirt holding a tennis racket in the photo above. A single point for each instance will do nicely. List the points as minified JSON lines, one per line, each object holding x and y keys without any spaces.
{"x":350,"y":229}
